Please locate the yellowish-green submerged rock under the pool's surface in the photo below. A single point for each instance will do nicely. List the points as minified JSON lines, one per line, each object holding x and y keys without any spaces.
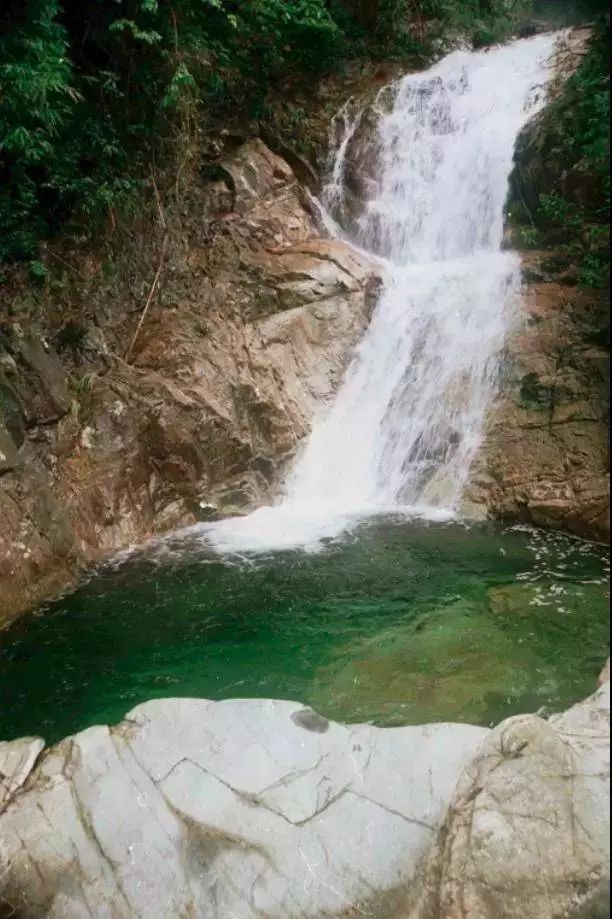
{"x":459,"y":660}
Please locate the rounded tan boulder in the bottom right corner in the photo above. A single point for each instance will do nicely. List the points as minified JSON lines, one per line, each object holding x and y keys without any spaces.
{"x":527,"y":832}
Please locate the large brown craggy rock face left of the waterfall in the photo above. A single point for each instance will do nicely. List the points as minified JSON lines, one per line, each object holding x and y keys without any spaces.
{"x":251,"y":333}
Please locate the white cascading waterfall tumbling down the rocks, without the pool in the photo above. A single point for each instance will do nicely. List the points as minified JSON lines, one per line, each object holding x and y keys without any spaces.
{"x":405,"y":425}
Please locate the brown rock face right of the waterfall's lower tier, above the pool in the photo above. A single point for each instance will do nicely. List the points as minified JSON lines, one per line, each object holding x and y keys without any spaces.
{"x":544,"y":458}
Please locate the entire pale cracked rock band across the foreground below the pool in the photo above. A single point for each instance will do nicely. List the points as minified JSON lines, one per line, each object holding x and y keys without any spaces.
{"x":259,"y":808}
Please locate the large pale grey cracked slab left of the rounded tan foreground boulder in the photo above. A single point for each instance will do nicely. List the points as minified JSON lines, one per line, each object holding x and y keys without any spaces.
{"x":227,"y":809}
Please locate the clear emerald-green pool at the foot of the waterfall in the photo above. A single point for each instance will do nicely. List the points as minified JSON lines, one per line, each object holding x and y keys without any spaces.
{"x":400,"y":623}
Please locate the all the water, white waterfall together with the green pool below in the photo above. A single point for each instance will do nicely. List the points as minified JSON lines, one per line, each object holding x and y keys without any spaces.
{"x":395,"y":620}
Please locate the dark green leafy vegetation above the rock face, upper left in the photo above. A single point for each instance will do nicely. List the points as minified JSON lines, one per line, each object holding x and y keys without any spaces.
{"x":91,"y":91}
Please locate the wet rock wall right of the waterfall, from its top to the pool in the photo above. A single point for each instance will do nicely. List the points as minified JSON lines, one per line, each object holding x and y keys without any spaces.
{"x":546,"y":447}
